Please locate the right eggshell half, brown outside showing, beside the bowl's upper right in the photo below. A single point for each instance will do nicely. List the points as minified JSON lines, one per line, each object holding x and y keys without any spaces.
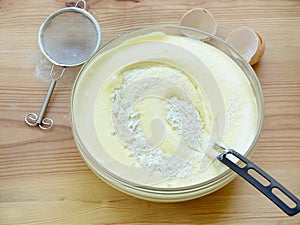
{"x":248,"y":43}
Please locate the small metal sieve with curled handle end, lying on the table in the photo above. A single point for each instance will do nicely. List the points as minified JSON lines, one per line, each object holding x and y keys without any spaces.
{"x":67,"y":38}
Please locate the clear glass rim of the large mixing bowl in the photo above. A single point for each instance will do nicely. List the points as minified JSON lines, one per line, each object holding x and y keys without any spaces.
{"x":91,"y":162}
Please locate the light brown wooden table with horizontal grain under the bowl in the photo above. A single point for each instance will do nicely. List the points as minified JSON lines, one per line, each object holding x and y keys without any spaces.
{"x":43,"y":179}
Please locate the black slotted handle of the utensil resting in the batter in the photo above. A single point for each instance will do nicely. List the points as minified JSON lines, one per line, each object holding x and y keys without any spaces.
{"x":267,"y":190}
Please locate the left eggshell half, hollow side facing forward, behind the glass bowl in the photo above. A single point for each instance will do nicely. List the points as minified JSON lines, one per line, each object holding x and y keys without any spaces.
{"x":200,"y":19}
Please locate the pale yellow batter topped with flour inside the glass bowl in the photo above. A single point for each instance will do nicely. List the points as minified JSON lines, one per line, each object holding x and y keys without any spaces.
{"x":157,"y":102}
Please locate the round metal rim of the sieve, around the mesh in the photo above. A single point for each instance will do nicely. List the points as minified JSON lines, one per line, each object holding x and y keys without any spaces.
{"x":60,"y":11}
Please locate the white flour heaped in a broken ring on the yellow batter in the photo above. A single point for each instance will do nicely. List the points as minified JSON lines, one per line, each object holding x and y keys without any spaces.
{"x":182,"y":116}
